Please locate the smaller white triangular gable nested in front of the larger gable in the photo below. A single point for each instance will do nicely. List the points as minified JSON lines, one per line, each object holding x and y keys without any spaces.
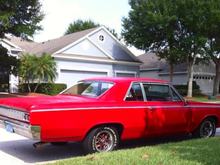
{"x":85,"y":48}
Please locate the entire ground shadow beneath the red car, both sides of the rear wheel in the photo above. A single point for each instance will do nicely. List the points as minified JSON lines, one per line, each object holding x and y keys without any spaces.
{"x":23,"y":149}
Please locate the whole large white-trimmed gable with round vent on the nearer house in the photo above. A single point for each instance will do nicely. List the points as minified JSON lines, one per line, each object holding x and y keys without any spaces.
{"x":98,"y":43}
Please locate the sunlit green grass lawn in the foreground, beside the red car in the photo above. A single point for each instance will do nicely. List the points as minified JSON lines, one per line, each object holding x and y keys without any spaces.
{"x":188,"y":152}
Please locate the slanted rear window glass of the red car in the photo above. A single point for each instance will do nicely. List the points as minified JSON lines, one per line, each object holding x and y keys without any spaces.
{"x":89,"y":88}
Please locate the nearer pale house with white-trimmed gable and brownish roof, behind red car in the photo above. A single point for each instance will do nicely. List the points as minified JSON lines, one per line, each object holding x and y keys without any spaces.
{"x":89,"y":53}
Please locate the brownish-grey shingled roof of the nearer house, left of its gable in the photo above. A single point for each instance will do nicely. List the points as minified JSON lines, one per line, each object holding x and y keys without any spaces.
{"x":50,"y":46}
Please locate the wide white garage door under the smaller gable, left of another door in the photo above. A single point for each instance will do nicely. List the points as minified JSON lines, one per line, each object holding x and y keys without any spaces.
{"x":70,"y":77}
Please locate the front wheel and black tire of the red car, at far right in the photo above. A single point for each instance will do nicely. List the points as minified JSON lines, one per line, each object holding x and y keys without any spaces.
{"x":206,"y":129}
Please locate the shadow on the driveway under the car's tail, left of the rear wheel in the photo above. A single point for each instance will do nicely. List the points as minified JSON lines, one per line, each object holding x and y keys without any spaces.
{"x":24,"y":150}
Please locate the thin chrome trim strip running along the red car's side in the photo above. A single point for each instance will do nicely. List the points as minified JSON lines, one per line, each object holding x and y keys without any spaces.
{"x":121,"y":107}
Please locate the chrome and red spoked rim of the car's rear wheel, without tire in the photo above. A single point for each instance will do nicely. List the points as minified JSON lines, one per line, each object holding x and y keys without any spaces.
{"x":104,"y":141}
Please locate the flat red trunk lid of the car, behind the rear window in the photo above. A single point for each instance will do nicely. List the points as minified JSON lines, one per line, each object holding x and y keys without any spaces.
{"x":28,"y":103}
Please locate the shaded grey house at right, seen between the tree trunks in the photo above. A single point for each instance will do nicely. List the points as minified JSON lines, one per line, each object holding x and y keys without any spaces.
{"x":204,"y":74}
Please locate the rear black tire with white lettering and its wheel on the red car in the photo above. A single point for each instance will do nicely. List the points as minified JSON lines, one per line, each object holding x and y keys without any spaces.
{"x":101,"y":139}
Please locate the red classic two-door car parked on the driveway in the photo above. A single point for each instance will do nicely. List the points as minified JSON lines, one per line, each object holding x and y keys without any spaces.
{"x":100,"y":112}
